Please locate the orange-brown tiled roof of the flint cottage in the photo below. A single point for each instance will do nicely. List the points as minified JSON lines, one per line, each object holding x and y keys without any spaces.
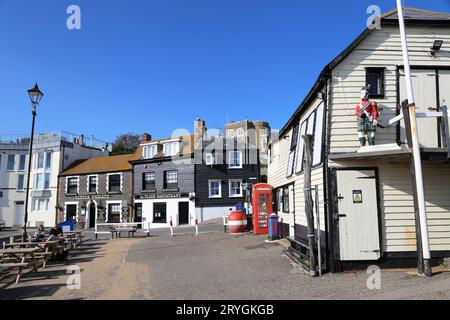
{"x":103,"y":164}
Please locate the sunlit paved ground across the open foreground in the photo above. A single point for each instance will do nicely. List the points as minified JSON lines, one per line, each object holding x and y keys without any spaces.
{"x":212,"y":266}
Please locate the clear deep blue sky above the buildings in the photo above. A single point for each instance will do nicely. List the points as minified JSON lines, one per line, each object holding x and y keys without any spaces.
{"x":154,"y":66}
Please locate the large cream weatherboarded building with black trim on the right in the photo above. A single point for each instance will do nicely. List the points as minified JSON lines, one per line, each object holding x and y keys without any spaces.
{"x":365,"y":196}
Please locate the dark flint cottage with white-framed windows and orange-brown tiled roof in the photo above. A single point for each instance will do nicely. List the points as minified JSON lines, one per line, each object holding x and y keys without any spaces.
{"x":97,"y":190}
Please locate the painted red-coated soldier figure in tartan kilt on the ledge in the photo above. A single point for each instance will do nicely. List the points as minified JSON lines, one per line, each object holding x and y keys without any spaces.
{"x":367,"y":113}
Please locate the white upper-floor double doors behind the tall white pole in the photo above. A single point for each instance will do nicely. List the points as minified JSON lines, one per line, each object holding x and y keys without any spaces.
{"x":424,"y":83}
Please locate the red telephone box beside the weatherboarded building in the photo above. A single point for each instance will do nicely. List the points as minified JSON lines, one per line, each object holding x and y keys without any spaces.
{"x":262,"y":207}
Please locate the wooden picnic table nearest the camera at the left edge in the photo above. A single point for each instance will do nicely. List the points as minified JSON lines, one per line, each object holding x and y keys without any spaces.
{"x":19,"y":258}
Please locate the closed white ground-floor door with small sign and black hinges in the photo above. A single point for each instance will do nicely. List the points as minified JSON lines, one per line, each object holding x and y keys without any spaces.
{"x":358,"y":215}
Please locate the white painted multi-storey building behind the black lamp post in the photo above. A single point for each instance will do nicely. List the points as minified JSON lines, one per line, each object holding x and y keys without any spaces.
{"x":52,"y":153}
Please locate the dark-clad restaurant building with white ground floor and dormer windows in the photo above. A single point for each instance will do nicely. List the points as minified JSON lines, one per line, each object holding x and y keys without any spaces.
{"x":164,"y":188}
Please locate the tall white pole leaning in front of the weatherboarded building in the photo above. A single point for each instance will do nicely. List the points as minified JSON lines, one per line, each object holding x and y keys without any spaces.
{"x":416,"y":149}
